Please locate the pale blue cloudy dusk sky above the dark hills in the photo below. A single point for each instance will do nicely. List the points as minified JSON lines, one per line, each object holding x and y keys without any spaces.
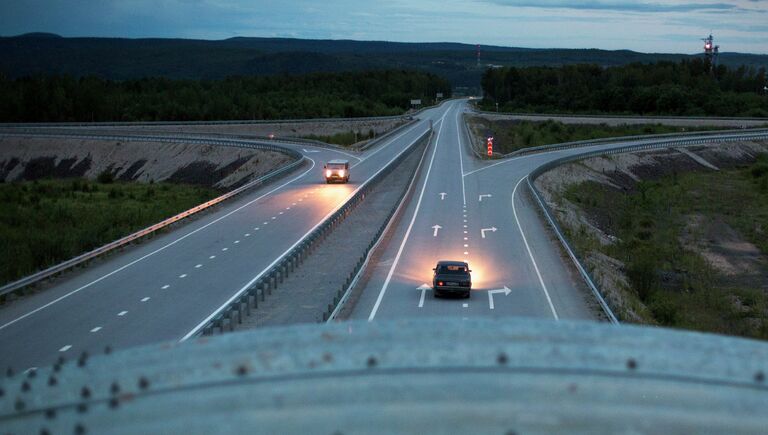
{"x":646,"y":26}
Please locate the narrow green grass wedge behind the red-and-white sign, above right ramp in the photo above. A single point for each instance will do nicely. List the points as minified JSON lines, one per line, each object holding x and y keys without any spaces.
{"x":514,"y":135}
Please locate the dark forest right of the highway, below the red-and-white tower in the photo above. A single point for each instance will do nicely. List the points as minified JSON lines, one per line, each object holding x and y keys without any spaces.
{"x":688,"y":88}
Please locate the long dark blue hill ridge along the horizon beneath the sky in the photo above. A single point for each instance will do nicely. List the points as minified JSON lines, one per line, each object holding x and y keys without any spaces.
{"x":119,"y":59}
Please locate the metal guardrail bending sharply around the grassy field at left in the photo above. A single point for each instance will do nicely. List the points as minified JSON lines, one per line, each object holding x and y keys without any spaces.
{"x":66,"y":265}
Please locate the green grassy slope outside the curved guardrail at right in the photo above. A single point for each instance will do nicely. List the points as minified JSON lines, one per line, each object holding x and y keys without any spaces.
{"x":678,"y":287}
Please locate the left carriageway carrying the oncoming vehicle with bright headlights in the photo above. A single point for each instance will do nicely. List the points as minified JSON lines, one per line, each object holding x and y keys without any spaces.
{"x":163,"y":288}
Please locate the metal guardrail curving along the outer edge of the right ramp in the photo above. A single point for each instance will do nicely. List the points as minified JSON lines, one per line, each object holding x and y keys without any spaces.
{"x":762,"y":135}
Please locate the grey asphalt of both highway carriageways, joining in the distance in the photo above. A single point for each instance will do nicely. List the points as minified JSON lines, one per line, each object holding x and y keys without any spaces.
{"x":462,"y":208}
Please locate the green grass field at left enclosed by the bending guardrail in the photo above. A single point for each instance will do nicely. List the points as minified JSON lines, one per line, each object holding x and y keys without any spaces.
{"x":48,"y":221}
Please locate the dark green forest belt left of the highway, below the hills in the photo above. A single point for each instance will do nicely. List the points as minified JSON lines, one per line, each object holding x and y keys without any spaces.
{"x":63,"y":98}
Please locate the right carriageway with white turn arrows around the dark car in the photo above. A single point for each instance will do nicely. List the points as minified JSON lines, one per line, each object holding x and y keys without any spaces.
{"x":487,"y":218}
